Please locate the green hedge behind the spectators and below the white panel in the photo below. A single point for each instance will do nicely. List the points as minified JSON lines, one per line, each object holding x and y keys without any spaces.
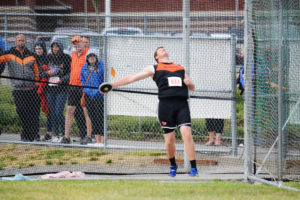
{"x":120,"y":127}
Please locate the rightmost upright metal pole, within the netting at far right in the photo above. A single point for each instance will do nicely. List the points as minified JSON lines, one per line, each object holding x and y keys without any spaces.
{"x":280,"y":92}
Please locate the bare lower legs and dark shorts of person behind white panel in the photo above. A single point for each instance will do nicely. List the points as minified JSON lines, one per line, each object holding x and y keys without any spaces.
{"x":214,"y":126}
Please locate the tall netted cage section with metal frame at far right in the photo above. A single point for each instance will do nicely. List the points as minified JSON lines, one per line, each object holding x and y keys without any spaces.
{"x":272,"y":97}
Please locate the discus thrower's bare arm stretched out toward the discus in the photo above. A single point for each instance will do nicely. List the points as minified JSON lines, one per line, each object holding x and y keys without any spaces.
{"x":145,"y":73}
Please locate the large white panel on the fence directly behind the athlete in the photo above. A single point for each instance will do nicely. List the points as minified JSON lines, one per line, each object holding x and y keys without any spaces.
{"x":210,"y":69}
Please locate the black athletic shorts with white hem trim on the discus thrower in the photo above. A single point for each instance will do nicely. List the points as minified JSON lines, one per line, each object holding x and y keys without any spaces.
{"x":173,"y":112}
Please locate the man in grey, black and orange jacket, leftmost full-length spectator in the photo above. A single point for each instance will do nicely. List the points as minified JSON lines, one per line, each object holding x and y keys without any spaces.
{"x":22,"y":65}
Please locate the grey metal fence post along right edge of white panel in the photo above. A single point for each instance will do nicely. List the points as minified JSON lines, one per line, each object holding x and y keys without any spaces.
{"x":233,"y":103}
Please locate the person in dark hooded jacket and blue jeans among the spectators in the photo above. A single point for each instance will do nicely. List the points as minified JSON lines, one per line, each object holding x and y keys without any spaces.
{"x":56,"y":91}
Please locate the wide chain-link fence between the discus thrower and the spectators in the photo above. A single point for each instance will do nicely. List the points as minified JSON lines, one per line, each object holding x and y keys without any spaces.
{"x":126,"y":136}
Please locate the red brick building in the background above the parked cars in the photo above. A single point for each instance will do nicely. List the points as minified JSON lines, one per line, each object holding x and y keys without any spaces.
{"x":143,"y":9}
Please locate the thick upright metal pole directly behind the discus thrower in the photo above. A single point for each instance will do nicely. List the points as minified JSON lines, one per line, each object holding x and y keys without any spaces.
{"x":186,"y":54}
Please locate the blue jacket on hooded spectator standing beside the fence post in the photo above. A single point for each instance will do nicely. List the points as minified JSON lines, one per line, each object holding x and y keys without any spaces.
{"x":95,"y":80}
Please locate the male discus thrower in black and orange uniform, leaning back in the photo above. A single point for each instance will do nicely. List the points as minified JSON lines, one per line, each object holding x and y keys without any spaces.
{"x":173,"y":84}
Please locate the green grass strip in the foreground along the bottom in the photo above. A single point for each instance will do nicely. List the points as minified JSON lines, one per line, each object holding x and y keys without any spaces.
{"x":141,"y":190}
